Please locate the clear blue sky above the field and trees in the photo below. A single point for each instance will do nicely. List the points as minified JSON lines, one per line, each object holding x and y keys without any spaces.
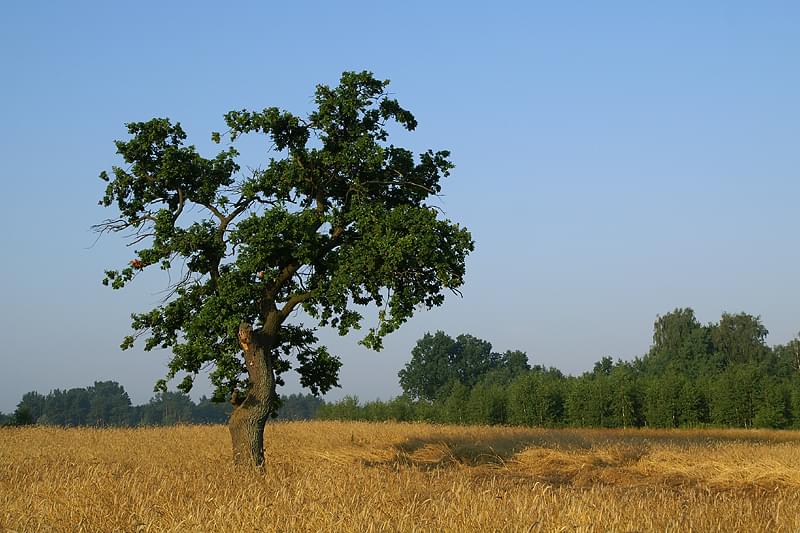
{"x":615,"y":160}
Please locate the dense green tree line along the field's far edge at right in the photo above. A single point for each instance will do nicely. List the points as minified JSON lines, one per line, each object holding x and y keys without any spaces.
{"x":721,"y":374}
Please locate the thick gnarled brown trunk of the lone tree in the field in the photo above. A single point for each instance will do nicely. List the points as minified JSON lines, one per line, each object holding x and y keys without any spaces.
{"x":249,"y":416}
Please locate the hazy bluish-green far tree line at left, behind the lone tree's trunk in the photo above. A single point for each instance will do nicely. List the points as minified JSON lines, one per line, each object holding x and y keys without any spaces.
{"x":107,"y":404}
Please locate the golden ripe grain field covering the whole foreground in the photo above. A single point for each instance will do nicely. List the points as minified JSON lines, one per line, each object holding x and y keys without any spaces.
{"x":331,"y":476}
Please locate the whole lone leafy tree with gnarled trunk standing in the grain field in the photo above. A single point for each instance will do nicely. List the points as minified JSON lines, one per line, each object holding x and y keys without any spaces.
{"x":337,"y":220}
